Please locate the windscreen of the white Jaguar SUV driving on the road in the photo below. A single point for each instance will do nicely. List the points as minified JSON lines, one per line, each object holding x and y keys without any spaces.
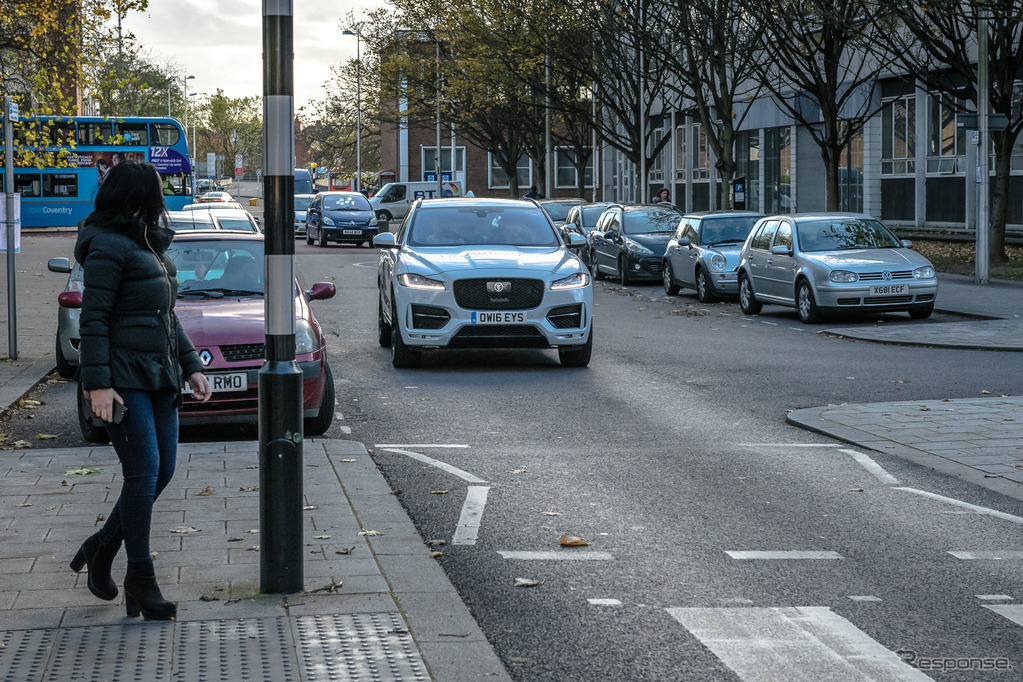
{"x":475,"y":225}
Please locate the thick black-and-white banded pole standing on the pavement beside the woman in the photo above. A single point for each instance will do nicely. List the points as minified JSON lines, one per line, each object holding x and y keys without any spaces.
{"x":281,"y":378}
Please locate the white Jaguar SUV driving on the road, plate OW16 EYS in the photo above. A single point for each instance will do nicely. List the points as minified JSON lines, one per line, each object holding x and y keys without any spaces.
{"x":482,"y":274}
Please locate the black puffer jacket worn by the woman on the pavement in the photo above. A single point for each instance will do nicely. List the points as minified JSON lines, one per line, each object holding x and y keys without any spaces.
{"x":131,"y":339}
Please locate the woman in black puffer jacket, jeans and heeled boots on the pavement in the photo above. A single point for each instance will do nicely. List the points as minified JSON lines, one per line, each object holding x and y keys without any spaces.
{"x":134,"y":351}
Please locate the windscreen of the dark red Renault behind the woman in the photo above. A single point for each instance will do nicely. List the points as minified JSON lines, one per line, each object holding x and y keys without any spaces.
{"x":216,"y":268}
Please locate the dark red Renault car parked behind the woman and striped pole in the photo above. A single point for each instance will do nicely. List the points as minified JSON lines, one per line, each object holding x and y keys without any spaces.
{"x":221,"y":307}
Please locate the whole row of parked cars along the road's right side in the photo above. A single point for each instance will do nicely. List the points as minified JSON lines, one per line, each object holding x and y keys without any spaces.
{"x":819,"y":264}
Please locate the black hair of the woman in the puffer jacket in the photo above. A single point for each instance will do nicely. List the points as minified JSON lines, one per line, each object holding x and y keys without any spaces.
{"x":132,"y":190}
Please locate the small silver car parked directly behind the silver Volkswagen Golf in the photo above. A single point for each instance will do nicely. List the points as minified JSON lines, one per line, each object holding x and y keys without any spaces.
{"x":703,"y":255}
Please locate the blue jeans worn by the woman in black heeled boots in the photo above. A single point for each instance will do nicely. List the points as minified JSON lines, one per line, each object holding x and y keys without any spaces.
{"x":147,"y":443}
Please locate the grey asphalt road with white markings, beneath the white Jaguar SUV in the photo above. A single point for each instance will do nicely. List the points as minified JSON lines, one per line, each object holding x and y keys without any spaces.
{"x":670,"y":457}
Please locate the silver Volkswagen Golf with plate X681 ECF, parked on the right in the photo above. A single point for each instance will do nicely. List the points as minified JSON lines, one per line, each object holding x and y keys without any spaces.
{"x":823,"y":264}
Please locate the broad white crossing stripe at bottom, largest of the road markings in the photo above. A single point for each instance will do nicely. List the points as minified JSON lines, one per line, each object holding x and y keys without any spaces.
{"x":793,"y":644}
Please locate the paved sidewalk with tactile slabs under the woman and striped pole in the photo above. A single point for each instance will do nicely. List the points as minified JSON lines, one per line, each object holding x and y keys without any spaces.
{"x":377,"y":606}
